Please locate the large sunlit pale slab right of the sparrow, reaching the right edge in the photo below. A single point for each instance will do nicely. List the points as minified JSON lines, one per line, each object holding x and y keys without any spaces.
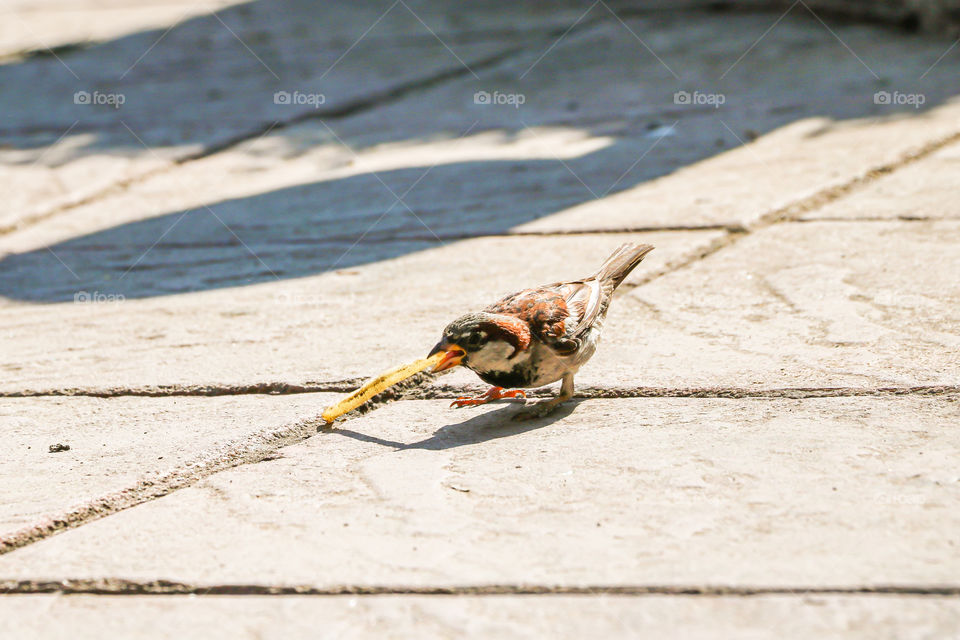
{"x":861,"y":304}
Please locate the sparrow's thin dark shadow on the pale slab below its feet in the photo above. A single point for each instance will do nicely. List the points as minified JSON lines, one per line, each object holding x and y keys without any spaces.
{"x":476,"y":430}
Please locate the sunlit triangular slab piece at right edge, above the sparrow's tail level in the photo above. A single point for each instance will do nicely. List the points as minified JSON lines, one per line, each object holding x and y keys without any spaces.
{"x":925,"y":190}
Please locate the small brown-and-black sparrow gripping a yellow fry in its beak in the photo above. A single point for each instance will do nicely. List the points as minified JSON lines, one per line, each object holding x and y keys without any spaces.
{"x":536,"y":336}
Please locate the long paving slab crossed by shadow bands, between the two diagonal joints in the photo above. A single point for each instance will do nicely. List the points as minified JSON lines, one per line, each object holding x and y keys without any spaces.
{"x":267,"y":197}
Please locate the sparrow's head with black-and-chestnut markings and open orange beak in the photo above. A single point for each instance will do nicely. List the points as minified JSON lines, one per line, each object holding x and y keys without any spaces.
{"x":481,"y":341}
